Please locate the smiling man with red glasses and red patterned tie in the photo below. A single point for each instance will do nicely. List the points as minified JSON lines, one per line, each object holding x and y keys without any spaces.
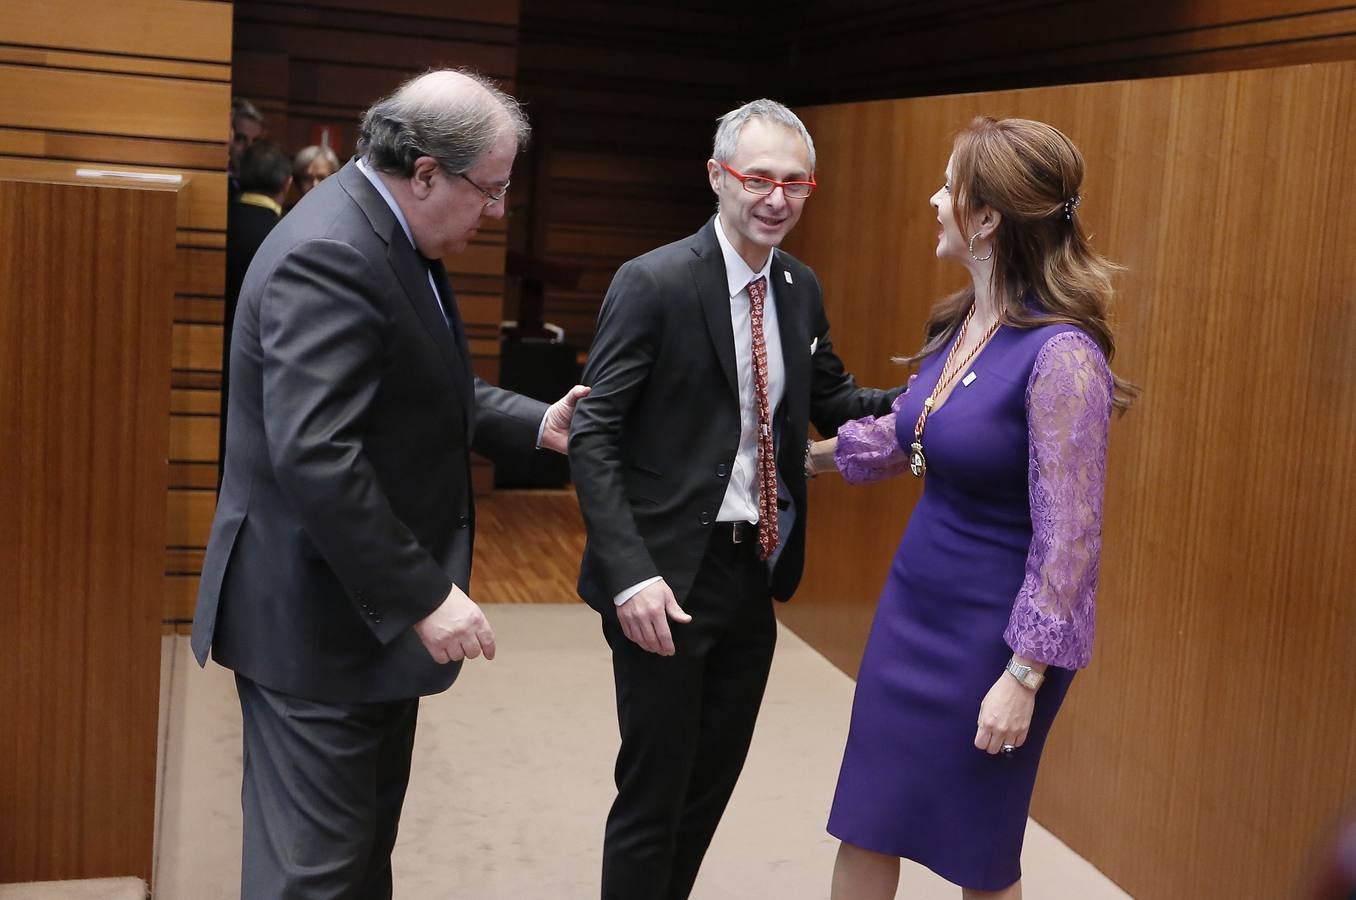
{"x":711,"y":359}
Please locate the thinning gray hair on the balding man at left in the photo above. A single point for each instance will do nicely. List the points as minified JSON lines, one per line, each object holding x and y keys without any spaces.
{"x":454,"y":116}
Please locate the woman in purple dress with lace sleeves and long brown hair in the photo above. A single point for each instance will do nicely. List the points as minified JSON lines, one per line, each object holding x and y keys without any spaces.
{"x":988,"y":609}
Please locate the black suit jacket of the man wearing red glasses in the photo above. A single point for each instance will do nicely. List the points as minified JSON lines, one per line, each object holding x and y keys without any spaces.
{"x":653,"y":445}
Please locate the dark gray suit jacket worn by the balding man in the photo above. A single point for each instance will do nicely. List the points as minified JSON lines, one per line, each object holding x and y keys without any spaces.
{"x":346,"y":512}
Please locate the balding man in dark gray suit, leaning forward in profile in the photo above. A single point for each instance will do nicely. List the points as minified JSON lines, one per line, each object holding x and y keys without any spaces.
{"x":338,"y":570}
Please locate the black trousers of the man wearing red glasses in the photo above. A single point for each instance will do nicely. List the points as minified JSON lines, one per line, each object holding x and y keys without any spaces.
{"x":687,"y":722}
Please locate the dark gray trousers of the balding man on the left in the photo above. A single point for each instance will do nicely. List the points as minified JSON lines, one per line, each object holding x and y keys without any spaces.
{"x":322,"y":796}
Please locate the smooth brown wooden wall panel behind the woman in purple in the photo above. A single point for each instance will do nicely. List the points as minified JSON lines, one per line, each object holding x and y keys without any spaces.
{"x":1212,"y":741}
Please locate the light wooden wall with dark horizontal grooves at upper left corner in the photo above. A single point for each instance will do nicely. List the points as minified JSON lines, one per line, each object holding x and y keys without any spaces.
{"x":144,"y":87}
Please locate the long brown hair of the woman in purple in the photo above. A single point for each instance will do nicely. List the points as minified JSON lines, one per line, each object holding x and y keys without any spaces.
{"x":1046,"y":270}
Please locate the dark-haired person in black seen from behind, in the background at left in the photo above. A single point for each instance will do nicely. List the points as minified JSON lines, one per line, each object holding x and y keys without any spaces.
{"x":265,"y":178}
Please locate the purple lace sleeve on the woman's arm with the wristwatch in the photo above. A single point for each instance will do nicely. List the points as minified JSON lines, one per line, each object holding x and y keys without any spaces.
{"x":1068,"y":415}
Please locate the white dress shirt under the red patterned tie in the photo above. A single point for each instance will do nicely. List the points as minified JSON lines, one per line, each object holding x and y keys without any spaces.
{"x":741,"y":501}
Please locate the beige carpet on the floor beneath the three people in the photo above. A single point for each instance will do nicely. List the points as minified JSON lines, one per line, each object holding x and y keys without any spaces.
{"x":513,"y":779}
